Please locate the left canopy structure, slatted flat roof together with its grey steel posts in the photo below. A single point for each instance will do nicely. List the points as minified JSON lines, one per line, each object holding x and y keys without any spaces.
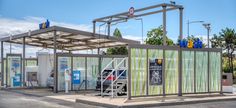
{"x":56,"y":37}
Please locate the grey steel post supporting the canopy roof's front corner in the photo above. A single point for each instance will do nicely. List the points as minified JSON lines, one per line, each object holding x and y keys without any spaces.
{"x":55,"y":88}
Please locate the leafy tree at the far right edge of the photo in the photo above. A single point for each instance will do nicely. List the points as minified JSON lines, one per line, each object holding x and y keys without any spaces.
{"x":226,"y":40}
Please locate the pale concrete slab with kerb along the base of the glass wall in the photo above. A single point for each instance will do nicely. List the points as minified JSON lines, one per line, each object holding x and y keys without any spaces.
{"x":153,"y":101}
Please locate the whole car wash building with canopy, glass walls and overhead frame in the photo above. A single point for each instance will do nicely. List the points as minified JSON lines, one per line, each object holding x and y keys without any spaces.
{"x":150,"y":70}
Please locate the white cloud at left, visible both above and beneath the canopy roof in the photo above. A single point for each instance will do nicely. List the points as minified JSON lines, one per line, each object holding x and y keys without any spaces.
{"x":9,"y":26}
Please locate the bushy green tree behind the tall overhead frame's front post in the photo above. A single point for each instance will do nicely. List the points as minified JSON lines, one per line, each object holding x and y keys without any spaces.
{"x":155,"y":37}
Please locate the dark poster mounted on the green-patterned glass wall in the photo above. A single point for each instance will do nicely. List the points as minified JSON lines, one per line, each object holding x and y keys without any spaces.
{"x":155,"y":71}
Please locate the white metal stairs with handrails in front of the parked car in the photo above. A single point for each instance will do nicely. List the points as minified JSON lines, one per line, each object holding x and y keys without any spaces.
{"x":116,"y":79}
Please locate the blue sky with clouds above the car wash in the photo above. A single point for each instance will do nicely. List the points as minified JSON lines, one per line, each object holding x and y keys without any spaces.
{"x":17,"y":16}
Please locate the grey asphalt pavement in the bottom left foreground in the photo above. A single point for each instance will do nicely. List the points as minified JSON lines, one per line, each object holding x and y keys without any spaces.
{"x":10,"y":99}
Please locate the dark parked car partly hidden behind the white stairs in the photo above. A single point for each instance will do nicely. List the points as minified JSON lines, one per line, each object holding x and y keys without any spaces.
{"x":107,"y":82}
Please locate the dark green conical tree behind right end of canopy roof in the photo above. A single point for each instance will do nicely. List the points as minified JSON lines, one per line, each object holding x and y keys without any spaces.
{"x":117,"y":50}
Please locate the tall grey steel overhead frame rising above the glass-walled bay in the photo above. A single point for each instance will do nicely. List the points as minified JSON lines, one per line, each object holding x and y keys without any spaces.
{"x":144,"y":12}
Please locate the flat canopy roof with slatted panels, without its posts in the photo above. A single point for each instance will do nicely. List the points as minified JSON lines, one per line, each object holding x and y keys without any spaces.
{"x":67,"y":39}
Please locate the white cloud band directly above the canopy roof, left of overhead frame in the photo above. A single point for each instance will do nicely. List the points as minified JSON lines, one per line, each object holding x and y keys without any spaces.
{"x":15,"y":26}
